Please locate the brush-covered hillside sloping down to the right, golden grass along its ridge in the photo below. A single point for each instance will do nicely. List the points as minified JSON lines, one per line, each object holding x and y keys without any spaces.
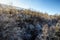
{"x":26,"y":24}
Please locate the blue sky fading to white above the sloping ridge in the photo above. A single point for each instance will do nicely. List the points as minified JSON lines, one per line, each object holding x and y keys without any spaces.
{"x":49,"y":6}
